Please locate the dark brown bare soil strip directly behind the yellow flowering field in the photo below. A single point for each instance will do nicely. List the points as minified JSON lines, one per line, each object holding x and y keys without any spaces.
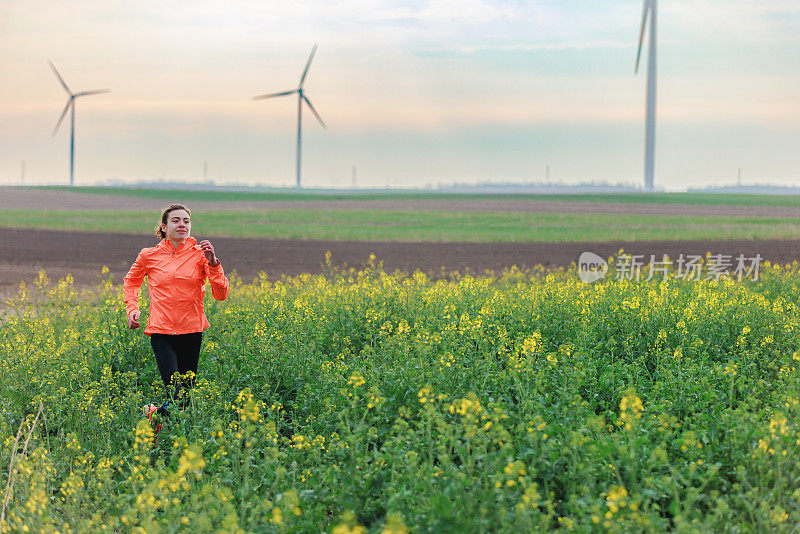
{"x":24,"y":252}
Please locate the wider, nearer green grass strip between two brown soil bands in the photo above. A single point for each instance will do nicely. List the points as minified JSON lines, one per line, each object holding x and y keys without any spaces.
{"x":379,"y":225}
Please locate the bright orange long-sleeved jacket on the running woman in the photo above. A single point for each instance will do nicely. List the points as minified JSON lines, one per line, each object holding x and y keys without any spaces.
{"x":177,"y":281}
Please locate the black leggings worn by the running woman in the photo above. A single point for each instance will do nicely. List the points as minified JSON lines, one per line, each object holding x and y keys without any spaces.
{"x":176,"y":354}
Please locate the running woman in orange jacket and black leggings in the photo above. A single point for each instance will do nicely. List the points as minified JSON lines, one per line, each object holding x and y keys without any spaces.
{"x":177,"y":269}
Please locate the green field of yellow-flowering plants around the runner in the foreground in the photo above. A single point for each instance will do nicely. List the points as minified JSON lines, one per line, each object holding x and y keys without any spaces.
{"x":363,"y":401}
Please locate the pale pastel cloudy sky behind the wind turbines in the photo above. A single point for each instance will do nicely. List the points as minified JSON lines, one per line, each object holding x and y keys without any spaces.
{"x":414,"y":93}
